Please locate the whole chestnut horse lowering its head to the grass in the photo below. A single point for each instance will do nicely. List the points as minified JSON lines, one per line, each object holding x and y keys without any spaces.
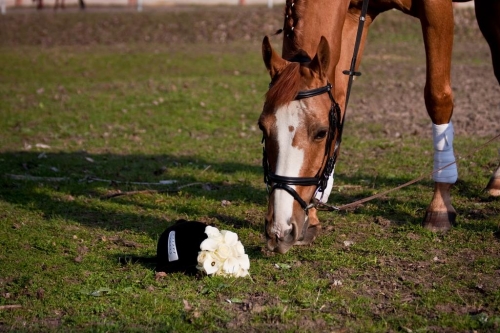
{"x":303,"y":112}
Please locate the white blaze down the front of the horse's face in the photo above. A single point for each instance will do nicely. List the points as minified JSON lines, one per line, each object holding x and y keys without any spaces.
{"x":288,"y":164}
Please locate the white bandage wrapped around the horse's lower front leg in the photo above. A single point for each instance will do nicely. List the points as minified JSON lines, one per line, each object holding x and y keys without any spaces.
{"x":443,"y":153}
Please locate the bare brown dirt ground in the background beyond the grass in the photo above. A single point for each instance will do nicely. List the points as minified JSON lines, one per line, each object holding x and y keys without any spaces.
{"x":388,"y":70}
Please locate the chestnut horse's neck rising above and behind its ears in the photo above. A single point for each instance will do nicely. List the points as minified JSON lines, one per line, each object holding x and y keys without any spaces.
{"x":306,"y":21}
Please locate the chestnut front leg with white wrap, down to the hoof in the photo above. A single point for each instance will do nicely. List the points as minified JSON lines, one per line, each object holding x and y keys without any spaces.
{"x":436,"y":18}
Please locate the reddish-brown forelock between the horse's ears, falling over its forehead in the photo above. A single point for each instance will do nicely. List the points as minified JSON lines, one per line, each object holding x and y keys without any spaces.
{"x":284,"y":86}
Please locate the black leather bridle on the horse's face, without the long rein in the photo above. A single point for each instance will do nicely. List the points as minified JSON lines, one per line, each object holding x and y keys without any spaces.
{"x":334,"y":137}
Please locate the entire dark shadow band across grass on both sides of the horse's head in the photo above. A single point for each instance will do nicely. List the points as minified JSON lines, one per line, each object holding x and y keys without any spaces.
{"x":78,"y":200}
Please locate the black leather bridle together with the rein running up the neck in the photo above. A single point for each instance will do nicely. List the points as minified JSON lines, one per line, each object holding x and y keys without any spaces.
{"x":336,"y":125}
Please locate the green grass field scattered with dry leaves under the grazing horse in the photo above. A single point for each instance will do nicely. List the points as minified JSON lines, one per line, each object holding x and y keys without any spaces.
{"x":150,"y":112}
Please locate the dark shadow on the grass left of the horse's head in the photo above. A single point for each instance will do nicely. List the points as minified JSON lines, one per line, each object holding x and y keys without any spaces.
{"x":76,"y":198}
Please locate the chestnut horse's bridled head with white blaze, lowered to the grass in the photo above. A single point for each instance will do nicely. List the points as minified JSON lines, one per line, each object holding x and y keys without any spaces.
{"x":299,"y":123}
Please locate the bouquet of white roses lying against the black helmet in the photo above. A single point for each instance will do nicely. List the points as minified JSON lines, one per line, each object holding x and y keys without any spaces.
{"x":222,"y":254}
